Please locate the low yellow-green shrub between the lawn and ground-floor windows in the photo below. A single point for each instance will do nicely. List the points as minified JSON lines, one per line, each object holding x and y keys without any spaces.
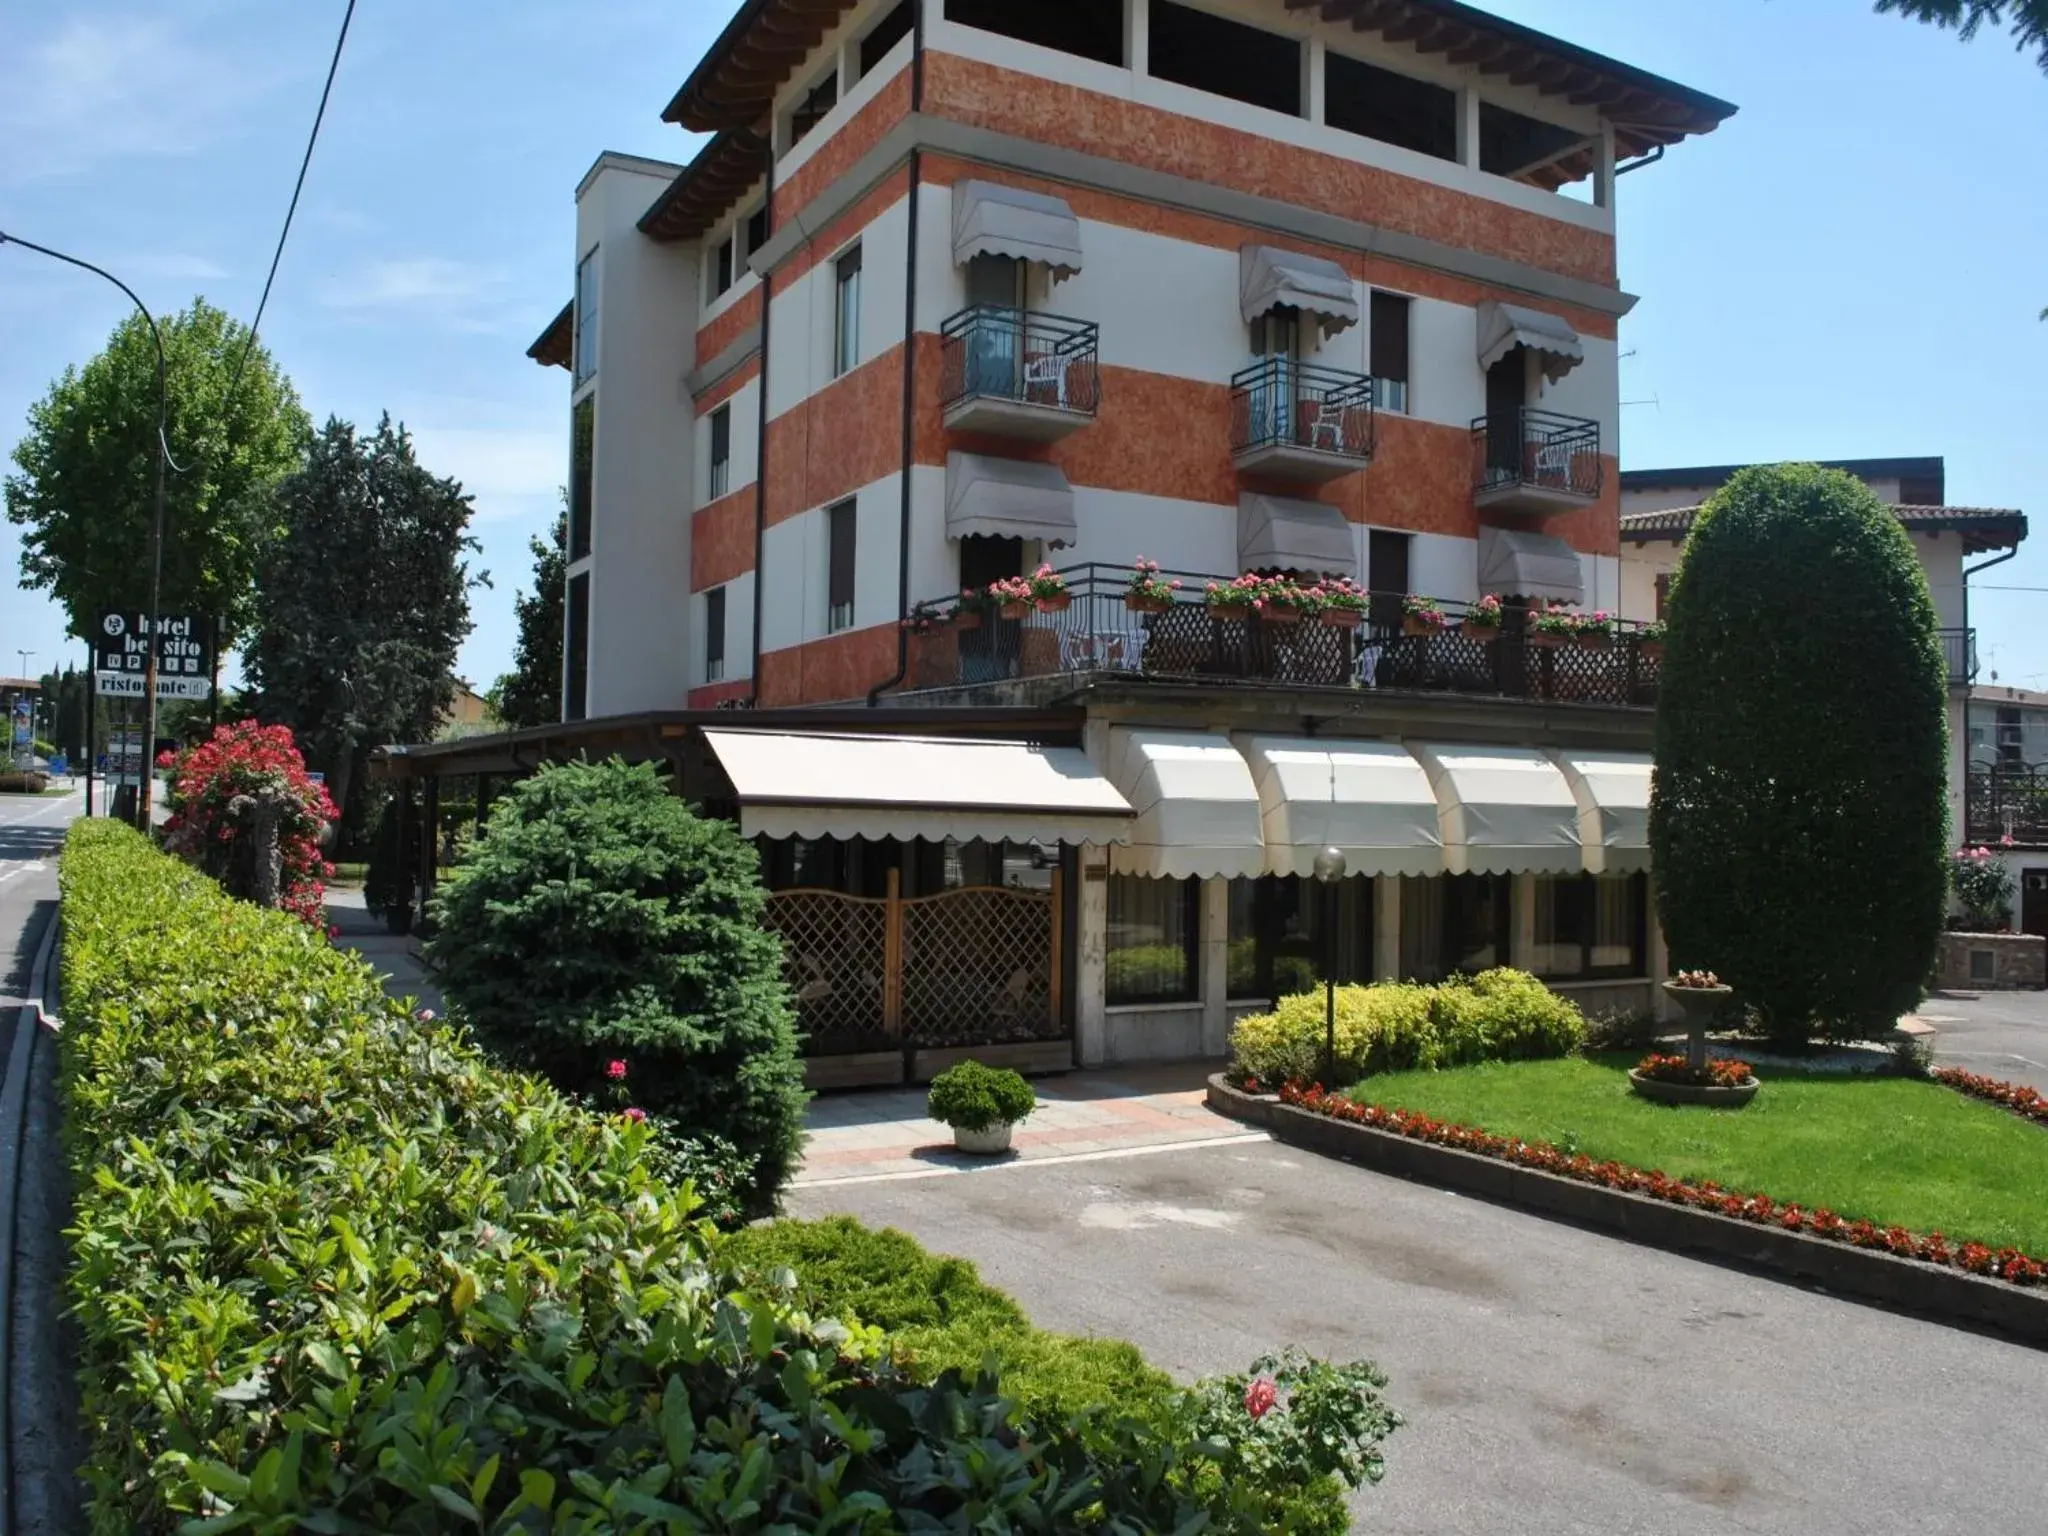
{"x":1500,"y":1015}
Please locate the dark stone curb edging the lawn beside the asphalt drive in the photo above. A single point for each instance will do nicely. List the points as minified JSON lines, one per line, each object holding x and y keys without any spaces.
{"x":1859,"y":1273}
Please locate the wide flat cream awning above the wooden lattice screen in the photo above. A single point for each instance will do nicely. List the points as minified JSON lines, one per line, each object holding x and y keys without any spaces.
{"x":916,"y":787}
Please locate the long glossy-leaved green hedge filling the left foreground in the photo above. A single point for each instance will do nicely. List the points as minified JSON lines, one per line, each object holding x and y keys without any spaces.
{"x":335,"y":1273}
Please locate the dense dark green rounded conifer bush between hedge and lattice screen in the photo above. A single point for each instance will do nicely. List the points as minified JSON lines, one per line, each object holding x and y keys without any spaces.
{"x":603,"y":923}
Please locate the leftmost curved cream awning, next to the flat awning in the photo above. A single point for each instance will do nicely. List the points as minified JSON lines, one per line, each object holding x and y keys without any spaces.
{"x":1195,"y":802}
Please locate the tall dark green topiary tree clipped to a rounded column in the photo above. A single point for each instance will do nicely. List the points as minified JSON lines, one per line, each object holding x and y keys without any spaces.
{"x":1799,"y":814}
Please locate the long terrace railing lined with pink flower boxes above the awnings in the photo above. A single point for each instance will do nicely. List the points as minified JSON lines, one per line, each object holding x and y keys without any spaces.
{"x":1101,"y":634}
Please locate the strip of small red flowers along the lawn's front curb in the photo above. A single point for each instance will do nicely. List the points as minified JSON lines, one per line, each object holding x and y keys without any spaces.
{"x":1760,"y":1209}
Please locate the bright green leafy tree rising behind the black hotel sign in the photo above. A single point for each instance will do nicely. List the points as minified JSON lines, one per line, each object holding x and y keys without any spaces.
{"x":85,"y":490}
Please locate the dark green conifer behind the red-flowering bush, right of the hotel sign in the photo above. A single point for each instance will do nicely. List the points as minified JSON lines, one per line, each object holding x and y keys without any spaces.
{"x":364,"y":603}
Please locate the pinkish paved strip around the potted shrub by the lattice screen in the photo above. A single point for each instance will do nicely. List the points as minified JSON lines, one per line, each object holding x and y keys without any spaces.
{"x":884,"y":1134}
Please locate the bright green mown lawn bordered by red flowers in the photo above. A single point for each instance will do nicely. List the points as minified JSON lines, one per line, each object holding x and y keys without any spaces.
{"x":1889,"y":1150}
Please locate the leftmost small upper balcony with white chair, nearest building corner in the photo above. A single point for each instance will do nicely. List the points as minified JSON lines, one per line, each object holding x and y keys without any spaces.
{"x":1021,"y":376}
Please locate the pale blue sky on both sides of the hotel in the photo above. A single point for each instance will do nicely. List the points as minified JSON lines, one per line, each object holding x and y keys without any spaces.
{"x":1852,"y":267}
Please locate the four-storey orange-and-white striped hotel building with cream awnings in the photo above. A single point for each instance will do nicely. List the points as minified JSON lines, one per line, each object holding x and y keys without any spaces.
{"x":1242,"y":286}
